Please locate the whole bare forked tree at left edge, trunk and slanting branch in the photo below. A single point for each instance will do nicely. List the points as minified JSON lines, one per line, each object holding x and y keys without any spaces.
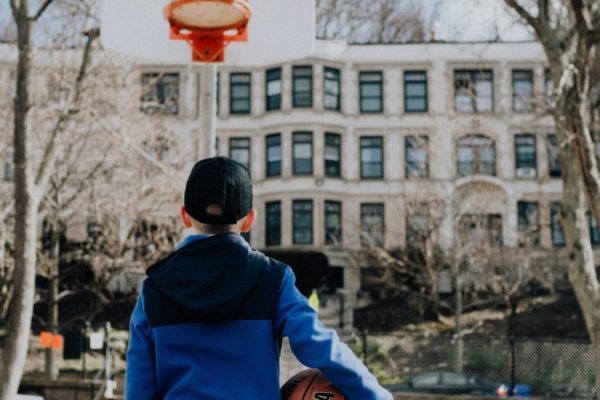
{"x":30,"y":188}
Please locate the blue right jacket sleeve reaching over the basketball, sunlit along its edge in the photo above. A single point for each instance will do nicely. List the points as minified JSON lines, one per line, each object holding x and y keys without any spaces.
{"x":319,"y":347}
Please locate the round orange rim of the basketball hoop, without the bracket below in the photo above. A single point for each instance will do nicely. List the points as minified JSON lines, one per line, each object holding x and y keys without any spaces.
{"x":241,"y":5}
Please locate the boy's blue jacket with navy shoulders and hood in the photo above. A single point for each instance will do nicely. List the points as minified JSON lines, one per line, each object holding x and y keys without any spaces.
{"x":209,"y":323}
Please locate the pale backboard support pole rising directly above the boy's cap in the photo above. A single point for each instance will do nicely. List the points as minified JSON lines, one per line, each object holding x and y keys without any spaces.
{"x":207,"y":110}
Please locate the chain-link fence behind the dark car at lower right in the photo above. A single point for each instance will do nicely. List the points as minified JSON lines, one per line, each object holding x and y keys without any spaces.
{"x":551,"y":367}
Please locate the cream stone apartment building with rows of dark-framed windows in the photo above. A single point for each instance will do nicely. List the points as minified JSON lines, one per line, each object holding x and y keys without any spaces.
{"x":358,"y":142}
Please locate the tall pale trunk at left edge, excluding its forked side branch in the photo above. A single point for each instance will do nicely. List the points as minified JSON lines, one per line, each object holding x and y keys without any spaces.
{"x":21,"y":307}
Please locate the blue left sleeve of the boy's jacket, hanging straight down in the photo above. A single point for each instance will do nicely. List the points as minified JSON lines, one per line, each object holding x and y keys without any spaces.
{"x":140,"y":375}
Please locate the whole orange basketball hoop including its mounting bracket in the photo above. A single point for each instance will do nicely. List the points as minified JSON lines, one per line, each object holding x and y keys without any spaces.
{"x":208,"y":25}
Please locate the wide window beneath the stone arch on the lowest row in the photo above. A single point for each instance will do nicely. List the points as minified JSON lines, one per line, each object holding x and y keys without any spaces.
{"x":481,"y":229}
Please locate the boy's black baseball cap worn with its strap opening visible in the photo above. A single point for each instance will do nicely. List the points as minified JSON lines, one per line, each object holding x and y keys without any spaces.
{"x":221,"y":181}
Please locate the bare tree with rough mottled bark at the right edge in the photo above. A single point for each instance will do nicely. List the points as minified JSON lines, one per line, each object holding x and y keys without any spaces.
{"x":569,"y":31}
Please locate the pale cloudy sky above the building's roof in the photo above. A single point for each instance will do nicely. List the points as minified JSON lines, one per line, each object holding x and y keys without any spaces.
{"x":454,"y":20}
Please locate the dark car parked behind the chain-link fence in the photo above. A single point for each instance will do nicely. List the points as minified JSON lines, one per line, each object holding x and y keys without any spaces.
{"x":448,"y":383}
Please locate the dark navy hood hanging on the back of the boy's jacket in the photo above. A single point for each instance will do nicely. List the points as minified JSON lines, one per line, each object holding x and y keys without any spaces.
{"x":211,"y":277}
